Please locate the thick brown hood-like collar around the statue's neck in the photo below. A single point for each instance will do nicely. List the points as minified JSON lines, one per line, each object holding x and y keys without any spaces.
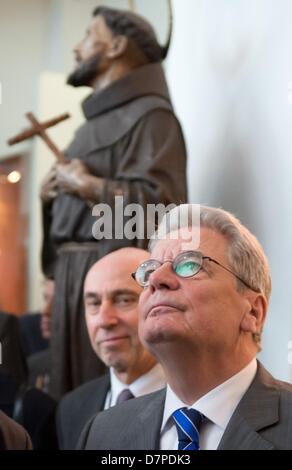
{"x":143,"y":81}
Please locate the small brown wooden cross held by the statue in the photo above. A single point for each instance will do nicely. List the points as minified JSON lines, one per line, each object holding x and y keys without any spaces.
{"x":40,"y":130}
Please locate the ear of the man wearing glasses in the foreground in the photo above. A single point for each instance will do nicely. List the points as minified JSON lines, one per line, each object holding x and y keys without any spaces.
{"x":255,"y":314}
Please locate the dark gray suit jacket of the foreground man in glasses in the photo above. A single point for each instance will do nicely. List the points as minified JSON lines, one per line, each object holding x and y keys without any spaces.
{"x":261,"y":421}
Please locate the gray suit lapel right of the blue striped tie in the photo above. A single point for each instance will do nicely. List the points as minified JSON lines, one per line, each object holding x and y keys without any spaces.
{"x":258,"y":409}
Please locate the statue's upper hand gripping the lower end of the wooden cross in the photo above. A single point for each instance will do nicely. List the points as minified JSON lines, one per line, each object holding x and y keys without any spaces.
{"x":72,"y":176}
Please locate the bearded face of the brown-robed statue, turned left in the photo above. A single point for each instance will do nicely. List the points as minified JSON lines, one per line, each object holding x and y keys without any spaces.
{"x":91,"y":54}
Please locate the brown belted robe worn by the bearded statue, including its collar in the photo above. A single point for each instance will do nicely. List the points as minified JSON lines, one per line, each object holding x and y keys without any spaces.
{"x":133,"y":140}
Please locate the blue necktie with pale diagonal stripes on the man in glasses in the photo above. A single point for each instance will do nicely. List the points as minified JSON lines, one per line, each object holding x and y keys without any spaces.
{"x":188,"y":422}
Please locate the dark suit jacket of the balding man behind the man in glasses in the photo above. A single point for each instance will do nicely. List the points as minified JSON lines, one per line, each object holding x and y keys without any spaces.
{"x":77,"y":407}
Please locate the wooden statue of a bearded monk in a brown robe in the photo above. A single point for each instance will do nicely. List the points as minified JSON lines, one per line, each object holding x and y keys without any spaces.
{"x":131,"y":145}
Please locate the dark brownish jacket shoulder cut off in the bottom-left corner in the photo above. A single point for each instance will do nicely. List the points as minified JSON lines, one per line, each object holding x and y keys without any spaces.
{"x":12,"y":435}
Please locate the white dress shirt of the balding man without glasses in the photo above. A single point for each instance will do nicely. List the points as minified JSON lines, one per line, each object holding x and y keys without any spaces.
{"x":151,"y":382}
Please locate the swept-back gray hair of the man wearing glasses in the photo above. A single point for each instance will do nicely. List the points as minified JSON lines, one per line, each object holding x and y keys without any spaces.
{"x":245,"y":254}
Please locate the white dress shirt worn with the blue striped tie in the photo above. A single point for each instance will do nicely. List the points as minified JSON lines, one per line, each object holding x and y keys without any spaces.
{"x":217,"y":405}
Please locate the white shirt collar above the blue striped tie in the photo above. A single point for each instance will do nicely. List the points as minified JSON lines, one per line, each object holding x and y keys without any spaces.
{"x":219,"y":404}
